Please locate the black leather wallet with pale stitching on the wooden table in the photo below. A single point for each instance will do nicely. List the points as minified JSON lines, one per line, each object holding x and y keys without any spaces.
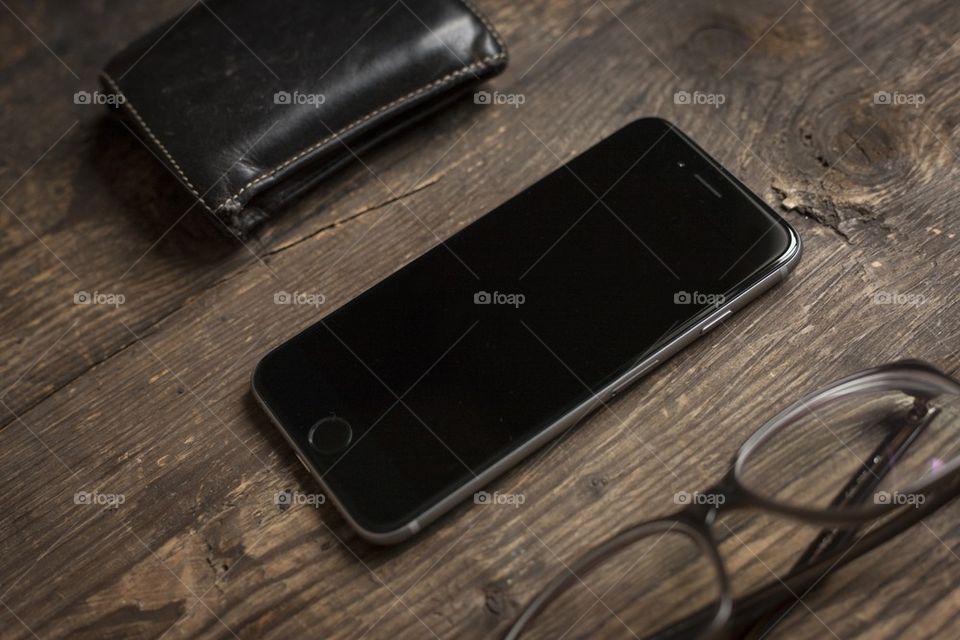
{"x":249,"y":103}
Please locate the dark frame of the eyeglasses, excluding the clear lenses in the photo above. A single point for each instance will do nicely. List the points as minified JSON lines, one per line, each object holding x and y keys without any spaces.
{"x":832,"y":548}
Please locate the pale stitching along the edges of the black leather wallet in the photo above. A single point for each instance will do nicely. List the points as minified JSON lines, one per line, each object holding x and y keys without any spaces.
{"x":480,"y":64}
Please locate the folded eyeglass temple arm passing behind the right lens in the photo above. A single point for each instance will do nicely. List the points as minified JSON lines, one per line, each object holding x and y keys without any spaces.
{"x":860,"y":487}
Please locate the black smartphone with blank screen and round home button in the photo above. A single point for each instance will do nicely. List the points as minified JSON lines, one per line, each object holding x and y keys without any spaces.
{"x":420,"y":391}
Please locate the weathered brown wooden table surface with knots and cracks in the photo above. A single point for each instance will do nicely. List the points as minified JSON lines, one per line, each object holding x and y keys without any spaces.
{"x":150,"y":400}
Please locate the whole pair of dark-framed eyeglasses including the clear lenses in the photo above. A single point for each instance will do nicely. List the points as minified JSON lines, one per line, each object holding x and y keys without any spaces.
{"x":879,"y":448}
